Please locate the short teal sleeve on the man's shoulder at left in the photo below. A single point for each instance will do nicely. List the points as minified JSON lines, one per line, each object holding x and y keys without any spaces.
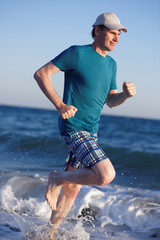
{"x":67,"y":60}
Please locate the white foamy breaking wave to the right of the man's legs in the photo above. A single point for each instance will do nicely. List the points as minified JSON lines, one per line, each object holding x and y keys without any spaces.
{"x":118,"y":206}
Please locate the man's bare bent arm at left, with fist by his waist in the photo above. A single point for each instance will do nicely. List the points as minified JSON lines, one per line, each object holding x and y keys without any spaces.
{"x":43,"y":78}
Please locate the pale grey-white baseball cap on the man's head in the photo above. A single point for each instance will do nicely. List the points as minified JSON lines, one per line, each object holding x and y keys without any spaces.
{"x":109,"y":20}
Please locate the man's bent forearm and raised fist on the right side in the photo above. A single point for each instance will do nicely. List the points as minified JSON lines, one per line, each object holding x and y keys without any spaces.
{"x":114,"y":98}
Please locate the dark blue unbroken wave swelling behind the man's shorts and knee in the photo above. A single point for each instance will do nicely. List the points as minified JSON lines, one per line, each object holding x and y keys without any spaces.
{"x":25,"y":152}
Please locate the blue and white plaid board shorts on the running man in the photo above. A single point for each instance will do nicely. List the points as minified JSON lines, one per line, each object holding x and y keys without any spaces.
{"x":84,"y":150}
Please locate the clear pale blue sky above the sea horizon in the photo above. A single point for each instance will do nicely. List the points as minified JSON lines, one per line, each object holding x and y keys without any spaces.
{"x":35,"y":31}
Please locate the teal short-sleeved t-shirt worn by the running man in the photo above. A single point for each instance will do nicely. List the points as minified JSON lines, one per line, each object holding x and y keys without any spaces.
{"x":88,"y":79}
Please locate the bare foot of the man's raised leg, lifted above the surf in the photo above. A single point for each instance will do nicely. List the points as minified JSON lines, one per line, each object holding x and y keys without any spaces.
{"x":52,"y":190}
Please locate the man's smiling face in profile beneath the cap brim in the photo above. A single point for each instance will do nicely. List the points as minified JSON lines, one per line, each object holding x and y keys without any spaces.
{"x":107,"y":39}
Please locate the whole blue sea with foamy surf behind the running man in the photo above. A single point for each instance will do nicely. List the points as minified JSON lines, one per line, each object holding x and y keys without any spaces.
{"x":128,"y":208}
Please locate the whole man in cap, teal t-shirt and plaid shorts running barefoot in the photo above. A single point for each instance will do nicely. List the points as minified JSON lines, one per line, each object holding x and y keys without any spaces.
{"x":90,"y":82}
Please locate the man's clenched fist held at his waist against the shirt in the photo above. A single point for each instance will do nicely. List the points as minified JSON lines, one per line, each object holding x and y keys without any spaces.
{"x":67,"y":111}
